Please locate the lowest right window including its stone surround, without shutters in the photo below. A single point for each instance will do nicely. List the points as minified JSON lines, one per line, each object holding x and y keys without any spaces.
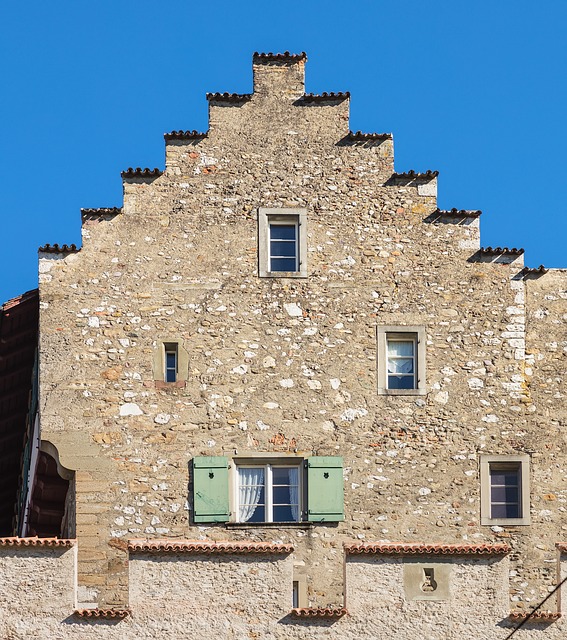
{"x":505,"y":493}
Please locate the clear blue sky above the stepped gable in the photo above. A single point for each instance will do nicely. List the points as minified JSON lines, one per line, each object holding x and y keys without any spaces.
{"x":476,"y":90}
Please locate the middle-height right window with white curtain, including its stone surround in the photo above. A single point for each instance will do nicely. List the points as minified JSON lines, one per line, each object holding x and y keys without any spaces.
{"x":401,"y":360}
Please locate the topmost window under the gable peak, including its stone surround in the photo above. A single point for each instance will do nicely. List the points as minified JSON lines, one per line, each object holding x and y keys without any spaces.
{"x":282,"y":243}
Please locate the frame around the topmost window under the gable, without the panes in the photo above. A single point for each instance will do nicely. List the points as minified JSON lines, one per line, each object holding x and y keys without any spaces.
{"x":268,"y":217}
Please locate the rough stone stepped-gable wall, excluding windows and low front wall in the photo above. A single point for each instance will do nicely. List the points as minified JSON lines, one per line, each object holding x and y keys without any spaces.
{"x":289,"y":365}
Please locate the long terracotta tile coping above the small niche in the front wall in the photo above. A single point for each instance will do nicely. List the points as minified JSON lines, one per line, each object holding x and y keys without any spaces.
{"x":426,"y":549}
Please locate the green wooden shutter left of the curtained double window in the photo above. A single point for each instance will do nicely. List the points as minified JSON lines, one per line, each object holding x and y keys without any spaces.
{"x":210,"y":489}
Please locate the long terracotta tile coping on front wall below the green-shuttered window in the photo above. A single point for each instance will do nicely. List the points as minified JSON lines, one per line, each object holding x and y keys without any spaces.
{"x":198,"y":546}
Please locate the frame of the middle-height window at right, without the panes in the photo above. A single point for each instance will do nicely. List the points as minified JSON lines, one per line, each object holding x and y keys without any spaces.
{"x":387,"y":333}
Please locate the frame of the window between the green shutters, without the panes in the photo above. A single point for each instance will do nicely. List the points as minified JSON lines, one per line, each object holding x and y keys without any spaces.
{"x":268,"y":464}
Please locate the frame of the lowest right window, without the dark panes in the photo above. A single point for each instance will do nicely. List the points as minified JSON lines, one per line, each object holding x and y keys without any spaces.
{"x":492,"y":462}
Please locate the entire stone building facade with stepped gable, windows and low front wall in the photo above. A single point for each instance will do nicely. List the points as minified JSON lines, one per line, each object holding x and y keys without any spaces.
{"x":293,"y":398}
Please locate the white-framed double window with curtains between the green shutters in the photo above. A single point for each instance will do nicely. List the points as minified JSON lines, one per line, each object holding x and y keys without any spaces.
{"x":268,"y":493}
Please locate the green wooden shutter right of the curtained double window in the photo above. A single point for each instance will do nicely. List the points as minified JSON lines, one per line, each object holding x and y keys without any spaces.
{"x":325,"y":494}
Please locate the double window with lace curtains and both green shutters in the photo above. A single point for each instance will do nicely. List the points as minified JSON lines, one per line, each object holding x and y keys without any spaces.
{"x":267,"y":490}
